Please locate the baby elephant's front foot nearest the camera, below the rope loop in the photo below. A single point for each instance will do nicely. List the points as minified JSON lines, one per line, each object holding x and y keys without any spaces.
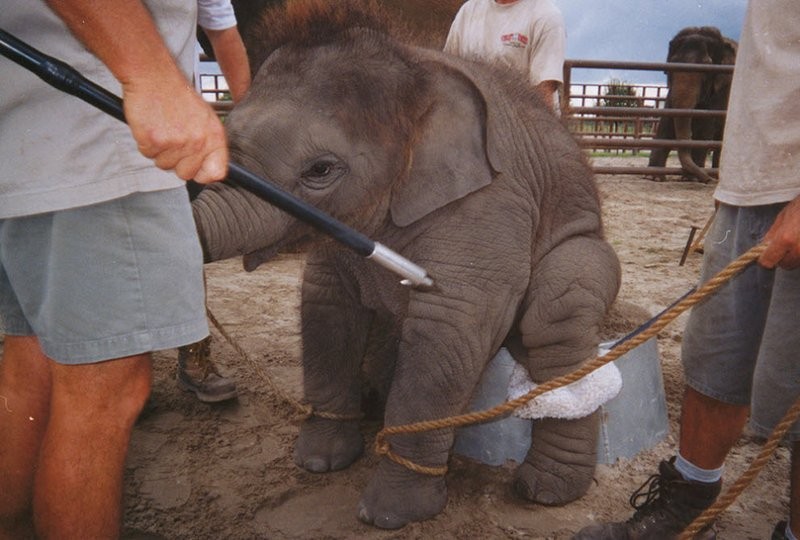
{"x":397,"y":496}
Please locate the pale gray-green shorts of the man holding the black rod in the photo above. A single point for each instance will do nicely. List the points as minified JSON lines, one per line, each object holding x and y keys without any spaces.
{"x":105,"y":281}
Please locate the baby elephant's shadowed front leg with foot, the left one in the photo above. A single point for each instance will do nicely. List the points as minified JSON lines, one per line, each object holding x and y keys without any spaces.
{"x":334,"y":329}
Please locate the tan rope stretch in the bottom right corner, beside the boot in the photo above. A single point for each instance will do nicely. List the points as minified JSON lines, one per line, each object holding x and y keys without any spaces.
{"x":744,"y":481}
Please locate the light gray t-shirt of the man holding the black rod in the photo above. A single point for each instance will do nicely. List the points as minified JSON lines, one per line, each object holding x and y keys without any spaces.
{"x":58,"y":152}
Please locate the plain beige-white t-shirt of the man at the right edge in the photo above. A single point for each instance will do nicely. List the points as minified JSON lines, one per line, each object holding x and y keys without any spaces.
{"x":760,"y":161}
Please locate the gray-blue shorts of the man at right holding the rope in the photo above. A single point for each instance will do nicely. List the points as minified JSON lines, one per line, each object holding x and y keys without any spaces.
{"x":741,"y":345}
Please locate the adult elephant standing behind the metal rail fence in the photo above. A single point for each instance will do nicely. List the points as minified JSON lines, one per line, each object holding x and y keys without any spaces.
{"x":695,"y":90}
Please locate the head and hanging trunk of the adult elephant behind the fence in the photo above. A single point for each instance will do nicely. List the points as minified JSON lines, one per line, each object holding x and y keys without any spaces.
{"x":697,"y":89}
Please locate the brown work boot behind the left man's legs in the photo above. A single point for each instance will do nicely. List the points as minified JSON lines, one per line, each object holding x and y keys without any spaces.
{"x":198,"y":374}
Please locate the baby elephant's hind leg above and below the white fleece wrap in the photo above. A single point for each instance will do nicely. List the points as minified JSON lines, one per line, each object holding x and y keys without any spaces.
{"x":571,"y":291}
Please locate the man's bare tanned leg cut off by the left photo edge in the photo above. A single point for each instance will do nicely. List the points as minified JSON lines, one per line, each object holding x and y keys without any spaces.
{"x":24,"y":407}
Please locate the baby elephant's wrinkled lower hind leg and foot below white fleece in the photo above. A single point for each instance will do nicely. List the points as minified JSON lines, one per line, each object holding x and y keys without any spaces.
{"x":560,"y":465}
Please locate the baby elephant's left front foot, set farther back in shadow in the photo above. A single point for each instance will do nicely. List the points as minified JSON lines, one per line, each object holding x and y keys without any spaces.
{"x":327,"y":445}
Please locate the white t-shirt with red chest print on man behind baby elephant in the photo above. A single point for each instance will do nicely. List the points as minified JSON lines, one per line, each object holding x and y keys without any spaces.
{"x":528,"y":35}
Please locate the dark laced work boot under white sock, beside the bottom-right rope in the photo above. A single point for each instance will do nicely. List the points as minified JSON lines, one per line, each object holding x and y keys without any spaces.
{"x":665,"y":505}
